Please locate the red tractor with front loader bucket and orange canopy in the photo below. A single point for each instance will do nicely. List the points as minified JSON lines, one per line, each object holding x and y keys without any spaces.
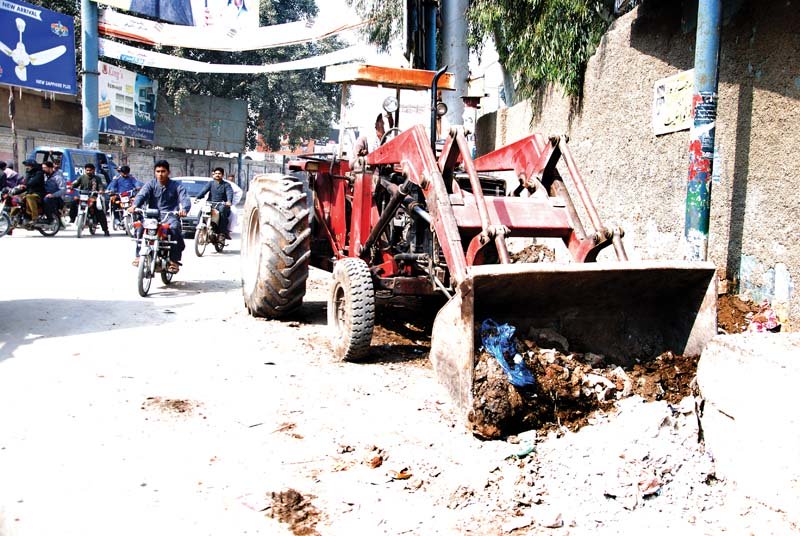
{"x":413,"y":219}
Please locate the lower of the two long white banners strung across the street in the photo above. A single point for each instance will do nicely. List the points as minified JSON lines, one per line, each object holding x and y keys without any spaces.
{"x":147,"y":58}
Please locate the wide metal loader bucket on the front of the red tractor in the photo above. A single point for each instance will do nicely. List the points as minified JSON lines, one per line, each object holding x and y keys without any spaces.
{"x":625,"y":311}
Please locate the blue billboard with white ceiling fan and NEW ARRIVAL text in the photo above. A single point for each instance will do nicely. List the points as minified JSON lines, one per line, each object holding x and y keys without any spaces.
{"x":37,"y":48}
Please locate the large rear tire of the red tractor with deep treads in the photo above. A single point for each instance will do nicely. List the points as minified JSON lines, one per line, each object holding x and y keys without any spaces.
{"x":276,"y":245}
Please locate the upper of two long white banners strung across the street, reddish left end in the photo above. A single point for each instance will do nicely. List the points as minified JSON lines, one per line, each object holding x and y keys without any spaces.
{"x":114,"y":24}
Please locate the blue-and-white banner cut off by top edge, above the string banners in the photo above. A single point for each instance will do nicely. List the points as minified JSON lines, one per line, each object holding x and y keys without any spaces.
{"x":224,"y":13}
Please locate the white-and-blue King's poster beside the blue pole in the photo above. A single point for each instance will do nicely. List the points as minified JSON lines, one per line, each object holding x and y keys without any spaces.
{"x":127,"y":105}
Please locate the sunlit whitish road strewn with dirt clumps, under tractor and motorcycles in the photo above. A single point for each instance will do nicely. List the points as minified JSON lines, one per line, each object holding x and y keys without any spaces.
{"x":178,"y":414}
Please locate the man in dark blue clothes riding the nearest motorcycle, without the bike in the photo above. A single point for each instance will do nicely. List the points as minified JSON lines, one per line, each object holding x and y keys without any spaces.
{"x":165,"y":195}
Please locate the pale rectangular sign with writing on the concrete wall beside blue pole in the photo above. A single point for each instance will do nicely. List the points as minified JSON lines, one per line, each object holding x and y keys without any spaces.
{"x":672,"y":103}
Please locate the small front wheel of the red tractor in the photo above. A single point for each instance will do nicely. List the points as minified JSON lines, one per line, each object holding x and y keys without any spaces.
{"x":351,"y":309}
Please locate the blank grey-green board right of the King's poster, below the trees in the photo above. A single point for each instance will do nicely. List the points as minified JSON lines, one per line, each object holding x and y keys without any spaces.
{"x":203,"y":123}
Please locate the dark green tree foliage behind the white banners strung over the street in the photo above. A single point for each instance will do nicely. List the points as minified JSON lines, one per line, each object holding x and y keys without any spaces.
{"x":294,"y":103}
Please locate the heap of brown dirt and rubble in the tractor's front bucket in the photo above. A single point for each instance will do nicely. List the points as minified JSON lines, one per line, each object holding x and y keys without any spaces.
{"x":567,"y":387}
